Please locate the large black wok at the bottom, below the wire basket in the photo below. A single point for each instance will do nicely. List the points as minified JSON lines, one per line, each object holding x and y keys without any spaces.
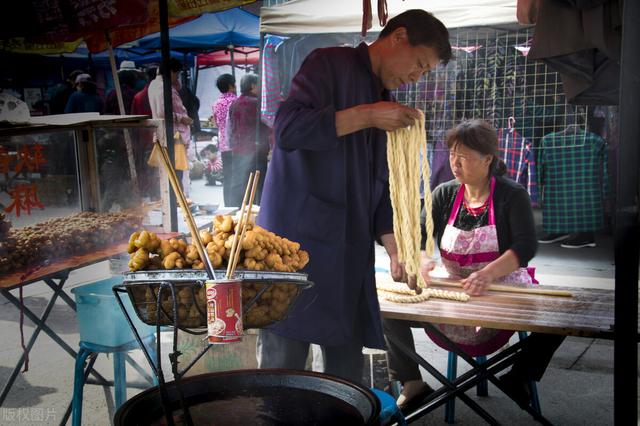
{"x":257,"y":397}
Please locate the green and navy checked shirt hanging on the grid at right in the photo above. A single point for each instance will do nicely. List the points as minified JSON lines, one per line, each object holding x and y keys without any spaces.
{"x":573,"y":181}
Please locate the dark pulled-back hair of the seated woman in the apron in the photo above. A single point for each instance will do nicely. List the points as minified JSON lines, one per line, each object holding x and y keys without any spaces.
{"x":479,"y":136}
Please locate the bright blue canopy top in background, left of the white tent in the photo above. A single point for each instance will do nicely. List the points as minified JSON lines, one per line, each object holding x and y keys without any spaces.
{"x":231,"y":27}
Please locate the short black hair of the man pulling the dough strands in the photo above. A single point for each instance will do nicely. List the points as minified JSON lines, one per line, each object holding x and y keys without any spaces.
{"x":422,"y":29}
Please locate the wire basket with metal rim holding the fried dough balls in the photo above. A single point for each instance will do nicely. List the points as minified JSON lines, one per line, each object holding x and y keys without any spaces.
{"x":267,"y":297}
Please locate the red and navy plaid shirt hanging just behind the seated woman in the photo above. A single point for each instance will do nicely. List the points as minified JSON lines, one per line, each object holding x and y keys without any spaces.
{"x":517,"y":153}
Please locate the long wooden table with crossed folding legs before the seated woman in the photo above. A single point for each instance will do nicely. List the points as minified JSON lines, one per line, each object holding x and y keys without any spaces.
{"x":588,"y":313}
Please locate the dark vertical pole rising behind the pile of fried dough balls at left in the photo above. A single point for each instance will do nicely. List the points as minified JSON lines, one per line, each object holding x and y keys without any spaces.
{"x":168,"y":103}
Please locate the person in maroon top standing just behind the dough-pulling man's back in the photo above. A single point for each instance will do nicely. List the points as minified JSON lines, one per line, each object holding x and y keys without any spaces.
{"x":250,"y":150}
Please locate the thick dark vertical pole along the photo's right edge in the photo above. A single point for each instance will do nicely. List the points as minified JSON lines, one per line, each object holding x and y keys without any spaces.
{"x":627,"y":229}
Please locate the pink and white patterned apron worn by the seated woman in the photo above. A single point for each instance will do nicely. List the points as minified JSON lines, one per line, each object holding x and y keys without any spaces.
{"x":462,"y":253}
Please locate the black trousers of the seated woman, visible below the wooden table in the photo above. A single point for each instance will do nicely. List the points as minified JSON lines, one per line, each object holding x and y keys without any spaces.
{"x":530,"y":363}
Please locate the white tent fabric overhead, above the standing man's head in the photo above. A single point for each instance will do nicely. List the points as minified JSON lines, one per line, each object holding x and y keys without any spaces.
{"x":345,"y":16}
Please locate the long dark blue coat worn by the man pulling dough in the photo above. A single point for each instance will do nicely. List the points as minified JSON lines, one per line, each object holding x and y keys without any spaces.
{"x":331,"y":194}
